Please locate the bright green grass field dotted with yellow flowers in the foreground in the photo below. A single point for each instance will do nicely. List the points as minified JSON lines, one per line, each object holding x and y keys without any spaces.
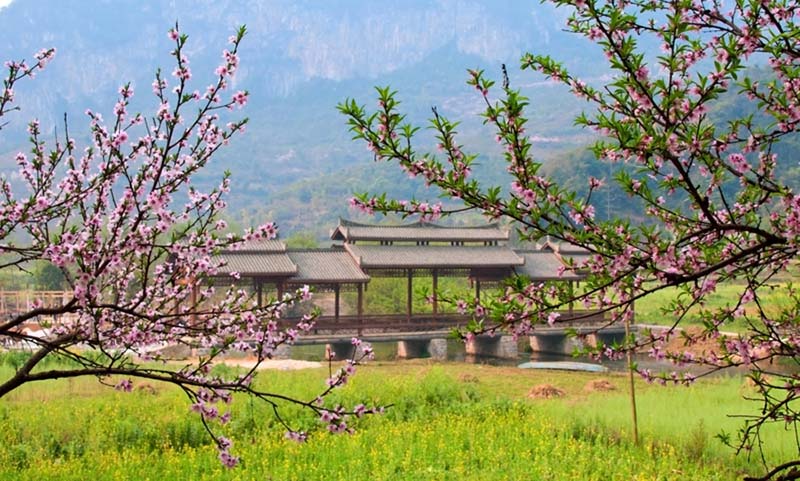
{"x":447,"y":421}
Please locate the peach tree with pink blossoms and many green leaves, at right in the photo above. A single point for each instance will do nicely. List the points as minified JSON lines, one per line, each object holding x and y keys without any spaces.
{"x":714,"y":207}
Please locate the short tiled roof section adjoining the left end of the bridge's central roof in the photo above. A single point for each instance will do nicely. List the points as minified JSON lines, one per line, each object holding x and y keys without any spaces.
{"x":325,"y":265}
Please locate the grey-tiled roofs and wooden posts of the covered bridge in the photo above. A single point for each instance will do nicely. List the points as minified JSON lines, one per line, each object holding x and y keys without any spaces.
{"x":360,"y":251}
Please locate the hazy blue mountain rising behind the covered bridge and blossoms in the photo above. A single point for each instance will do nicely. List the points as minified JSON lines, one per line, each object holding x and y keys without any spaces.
{"x":299,"y":60}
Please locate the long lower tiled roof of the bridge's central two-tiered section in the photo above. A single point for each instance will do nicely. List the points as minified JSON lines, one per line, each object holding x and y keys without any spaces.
{"x":372,"y":256}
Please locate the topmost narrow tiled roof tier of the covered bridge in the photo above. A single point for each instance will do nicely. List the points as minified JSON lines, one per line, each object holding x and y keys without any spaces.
{"x":353,"y":231}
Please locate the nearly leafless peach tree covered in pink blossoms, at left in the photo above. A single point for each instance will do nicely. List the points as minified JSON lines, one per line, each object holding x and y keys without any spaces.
{"x":136,"y":244}
